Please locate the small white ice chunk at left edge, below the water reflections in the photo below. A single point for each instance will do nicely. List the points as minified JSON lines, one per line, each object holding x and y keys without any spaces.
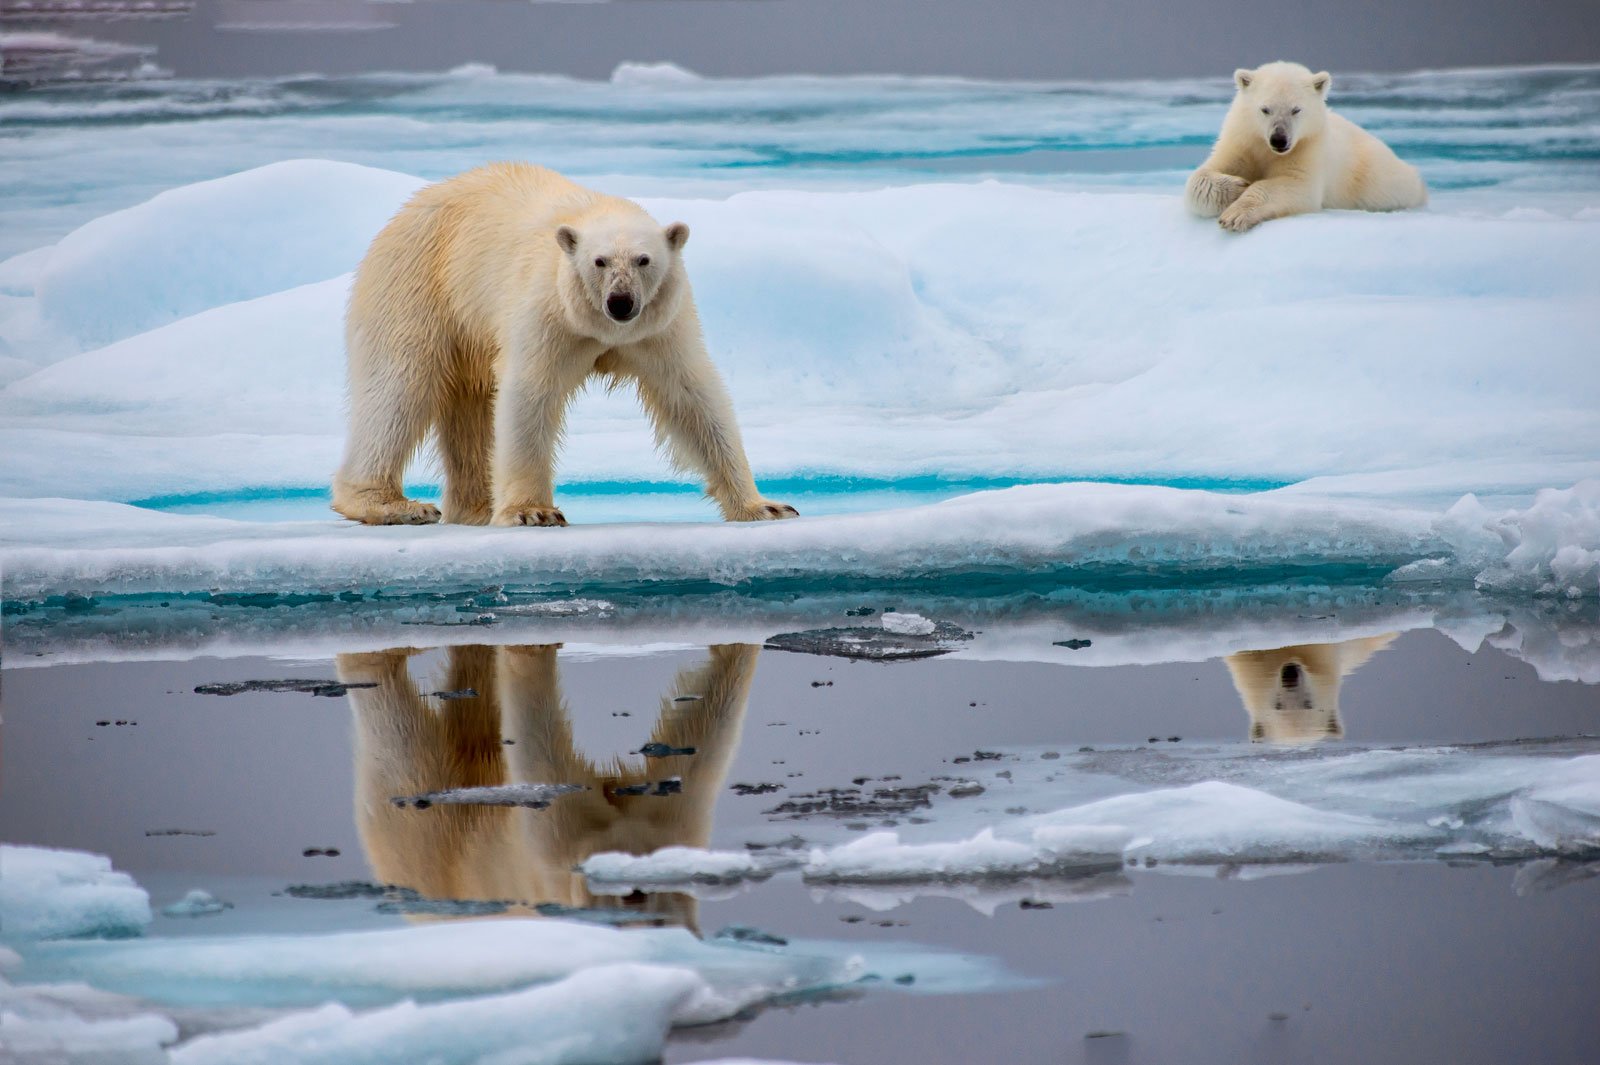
{"x":54,"y":895}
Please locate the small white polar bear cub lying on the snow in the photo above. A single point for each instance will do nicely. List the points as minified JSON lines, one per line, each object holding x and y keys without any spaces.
{"x":1284,"y":153}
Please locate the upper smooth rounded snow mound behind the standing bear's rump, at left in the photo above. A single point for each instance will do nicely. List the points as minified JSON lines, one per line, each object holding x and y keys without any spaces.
{"x":214,"y":244}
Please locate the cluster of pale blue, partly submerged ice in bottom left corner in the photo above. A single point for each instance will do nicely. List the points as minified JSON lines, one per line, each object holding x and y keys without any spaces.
{"x":457,"y":992}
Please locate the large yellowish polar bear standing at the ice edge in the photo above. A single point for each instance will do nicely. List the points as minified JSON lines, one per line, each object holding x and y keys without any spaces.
{"x":482,"y":308}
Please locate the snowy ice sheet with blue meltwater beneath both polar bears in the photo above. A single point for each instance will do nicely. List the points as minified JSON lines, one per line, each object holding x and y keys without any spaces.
{"x":182,"y":346}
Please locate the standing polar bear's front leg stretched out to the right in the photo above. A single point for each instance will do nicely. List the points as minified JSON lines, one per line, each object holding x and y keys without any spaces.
{"x":694,"y":418}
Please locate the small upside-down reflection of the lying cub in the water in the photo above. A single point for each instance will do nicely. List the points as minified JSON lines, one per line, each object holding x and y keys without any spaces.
{"x":1294,"y":693}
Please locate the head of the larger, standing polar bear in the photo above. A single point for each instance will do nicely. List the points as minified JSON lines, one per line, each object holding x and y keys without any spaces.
{"x":626,"y":268}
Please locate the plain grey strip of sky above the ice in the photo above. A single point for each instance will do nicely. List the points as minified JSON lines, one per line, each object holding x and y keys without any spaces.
{"x":999,"y":39}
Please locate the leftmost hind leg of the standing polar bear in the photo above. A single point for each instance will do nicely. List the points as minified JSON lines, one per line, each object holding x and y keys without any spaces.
{"x":391,"y":412}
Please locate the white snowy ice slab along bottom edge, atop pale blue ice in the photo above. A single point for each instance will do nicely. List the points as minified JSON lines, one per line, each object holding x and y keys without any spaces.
{"x":558,"y":1024}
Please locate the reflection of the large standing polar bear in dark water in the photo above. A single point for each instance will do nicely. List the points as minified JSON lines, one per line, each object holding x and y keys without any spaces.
{"x":518,"y":730}
